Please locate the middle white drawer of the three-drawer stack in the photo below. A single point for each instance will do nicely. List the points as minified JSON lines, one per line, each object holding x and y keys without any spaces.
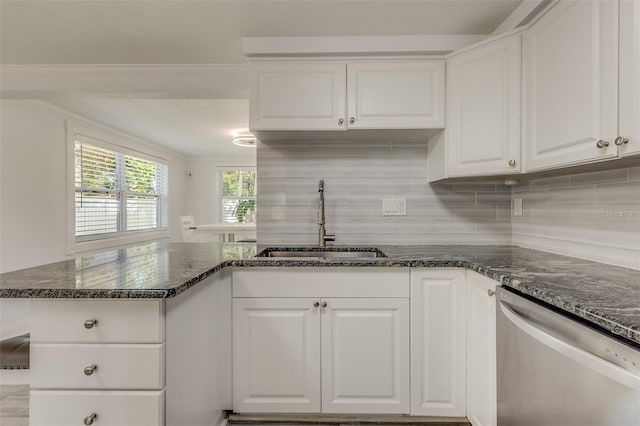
{"x":62,"y":366}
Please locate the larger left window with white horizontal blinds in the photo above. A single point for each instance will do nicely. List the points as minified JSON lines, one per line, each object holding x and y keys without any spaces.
{"x":117,"y":192}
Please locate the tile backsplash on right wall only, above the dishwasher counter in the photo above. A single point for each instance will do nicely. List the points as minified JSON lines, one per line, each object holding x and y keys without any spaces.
{"x":593,"y":215}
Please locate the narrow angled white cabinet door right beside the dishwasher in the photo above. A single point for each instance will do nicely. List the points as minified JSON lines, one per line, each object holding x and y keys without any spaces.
{"x":481,"y":350}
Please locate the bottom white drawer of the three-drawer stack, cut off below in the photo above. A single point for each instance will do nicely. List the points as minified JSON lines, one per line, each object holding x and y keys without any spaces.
{"x":113,"y":408}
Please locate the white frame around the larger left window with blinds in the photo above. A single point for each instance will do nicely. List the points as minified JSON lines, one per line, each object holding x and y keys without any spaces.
{"x":115,"y":141}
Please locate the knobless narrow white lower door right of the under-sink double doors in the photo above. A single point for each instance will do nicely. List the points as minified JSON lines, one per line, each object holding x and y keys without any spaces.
{"x":438,"y":342}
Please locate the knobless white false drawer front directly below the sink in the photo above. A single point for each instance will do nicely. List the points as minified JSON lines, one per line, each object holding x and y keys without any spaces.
{"x":321,"y":282}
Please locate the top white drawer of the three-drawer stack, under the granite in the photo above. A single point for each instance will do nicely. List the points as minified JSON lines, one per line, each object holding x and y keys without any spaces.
{"x":117,"y":321}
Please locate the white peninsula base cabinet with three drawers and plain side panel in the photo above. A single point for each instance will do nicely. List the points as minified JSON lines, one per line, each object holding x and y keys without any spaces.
{"x":126,"y":362}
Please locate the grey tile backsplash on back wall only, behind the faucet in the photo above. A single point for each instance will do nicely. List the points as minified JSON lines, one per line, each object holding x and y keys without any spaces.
{"x":358,"y":175}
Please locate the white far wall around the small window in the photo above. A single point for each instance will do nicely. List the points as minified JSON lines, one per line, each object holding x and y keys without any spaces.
{"x":204,"y":186}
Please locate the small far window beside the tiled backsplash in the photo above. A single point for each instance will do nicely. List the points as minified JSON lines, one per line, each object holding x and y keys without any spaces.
{"x":238,"y":194}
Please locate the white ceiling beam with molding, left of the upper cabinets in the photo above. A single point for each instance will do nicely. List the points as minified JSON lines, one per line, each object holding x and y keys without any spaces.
{"x":223,"y":81}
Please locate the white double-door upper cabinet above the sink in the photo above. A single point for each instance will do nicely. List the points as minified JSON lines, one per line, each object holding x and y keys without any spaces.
{"x":314,"y":95}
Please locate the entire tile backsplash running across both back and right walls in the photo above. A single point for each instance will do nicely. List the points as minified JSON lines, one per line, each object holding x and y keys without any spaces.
{"x":594,"y":215}
